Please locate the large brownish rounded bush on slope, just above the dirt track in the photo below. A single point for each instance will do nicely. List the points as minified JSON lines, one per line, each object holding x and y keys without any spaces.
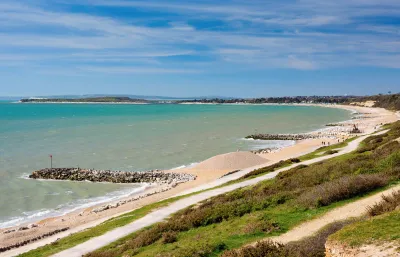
{"x":342,"y":189}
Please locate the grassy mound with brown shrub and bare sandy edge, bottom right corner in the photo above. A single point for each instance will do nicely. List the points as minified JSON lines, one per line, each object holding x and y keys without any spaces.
{"x":376,"y":234}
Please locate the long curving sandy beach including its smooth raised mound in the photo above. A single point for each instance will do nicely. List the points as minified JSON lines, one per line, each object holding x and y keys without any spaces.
{"x":367,"y":120}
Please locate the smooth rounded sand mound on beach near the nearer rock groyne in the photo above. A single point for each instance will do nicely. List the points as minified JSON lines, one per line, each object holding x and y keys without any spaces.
{"x":231,"y":161}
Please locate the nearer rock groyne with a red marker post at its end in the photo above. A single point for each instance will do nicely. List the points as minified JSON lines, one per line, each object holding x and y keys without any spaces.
{"x":77,"y":174}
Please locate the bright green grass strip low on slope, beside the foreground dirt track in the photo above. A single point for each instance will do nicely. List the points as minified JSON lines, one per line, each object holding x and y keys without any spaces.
{"x":232,"y":233}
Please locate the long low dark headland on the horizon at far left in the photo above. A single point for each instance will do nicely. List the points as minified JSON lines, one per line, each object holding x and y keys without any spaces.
{"x":107,"y":99}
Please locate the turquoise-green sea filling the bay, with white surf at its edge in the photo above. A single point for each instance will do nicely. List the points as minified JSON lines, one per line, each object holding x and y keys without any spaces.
{"x":124,"y":137}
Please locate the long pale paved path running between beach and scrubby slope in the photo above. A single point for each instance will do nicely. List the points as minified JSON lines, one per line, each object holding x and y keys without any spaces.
{"x":162,"y":213}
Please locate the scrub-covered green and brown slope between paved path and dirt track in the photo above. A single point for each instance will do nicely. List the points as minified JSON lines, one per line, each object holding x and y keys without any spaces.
{"x":223,"y":224}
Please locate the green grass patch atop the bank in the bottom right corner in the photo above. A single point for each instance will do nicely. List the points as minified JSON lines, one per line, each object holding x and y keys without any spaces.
{"x":381,"y":229}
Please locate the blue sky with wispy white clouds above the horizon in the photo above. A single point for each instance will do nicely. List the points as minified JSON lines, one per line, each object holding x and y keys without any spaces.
{"x":237,"y":48}
